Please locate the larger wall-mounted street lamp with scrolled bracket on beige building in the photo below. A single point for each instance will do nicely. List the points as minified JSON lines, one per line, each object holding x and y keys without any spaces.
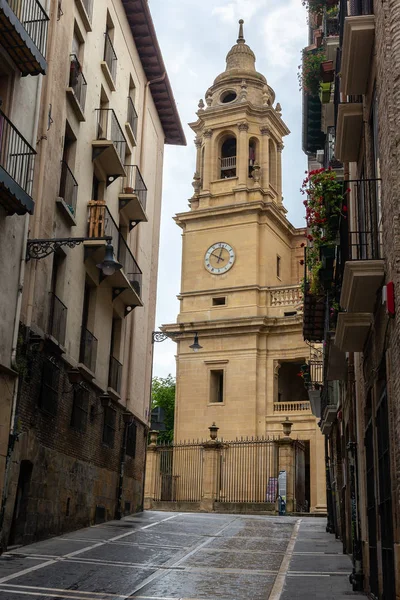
{"x":40,"y":248}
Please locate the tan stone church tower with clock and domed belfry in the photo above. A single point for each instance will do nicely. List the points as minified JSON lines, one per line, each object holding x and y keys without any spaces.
{"x":241,"y":273}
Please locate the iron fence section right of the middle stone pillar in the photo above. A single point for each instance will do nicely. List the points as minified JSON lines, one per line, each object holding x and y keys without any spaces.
{"x":248,"y":471}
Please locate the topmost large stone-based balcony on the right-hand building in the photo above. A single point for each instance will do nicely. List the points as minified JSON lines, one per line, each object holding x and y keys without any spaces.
{"x":358,"y":35}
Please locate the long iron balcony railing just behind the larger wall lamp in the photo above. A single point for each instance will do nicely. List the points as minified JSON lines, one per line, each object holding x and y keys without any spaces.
{"x":102,"y":224}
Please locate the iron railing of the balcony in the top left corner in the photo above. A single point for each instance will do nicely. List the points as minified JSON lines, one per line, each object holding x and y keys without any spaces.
{"x":34,"y":19}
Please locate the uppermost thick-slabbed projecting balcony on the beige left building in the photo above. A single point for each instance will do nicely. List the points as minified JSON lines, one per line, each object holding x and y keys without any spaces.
{"x":108,"y":149}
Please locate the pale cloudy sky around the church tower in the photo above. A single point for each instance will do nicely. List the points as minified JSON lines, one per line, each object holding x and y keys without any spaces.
{"x":195,"y":36}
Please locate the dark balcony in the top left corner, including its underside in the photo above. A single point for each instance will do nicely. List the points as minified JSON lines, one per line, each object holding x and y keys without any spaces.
{"x":23,"y":34}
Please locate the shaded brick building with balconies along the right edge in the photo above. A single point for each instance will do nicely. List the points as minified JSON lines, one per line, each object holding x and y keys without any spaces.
{"x":359,"y":399}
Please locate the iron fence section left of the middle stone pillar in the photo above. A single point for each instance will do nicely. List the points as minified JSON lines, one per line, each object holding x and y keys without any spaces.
{"x":180,"y":473}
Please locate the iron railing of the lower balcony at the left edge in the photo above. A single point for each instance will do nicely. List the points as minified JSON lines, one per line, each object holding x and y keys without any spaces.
{"x":16,"y":155}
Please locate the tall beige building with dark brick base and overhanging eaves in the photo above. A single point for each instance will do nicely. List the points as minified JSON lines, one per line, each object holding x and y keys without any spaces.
{"x":88,"y":304}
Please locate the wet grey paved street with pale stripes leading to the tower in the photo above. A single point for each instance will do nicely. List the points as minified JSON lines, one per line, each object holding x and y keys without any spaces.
{"x":171,"y":556}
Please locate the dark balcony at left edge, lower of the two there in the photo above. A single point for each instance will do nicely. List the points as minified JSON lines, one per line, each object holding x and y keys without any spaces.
{"x":16,"y":170}
